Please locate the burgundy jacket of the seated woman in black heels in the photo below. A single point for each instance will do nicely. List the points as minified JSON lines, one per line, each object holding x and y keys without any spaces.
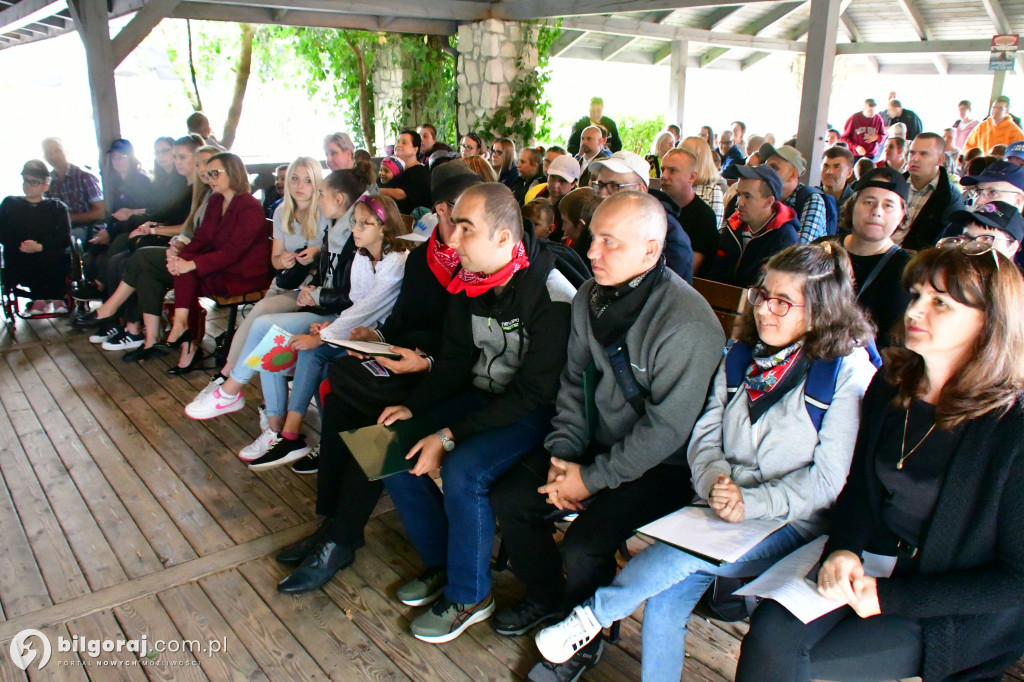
{"x":232,"y":252}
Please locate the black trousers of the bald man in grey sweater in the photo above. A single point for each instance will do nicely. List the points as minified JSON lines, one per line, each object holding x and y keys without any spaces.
{"x":590,"y":544}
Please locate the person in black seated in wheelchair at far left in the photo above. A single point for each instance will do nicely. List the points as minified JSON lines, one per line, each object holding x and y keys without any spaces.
{"x":35,"y":233}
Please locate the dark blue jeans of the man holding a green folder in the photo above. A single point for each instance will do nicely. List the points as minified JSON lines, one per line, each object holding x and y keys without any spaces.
{"x":457,"y":530}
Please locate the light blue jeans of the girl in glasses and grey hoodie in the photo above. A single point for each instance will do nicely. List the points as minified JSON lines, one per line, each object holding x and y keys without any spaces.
{"x":672,"y":582}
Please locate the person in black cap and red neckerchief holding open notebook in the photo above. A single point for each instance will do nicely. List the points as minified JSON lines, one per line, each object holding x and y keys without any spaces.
{"x":359,"y":392}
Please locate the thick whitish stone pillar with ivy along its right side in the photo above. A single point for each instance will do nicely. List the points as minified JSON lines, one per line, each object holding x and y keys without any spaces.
{"x":492,"y":55}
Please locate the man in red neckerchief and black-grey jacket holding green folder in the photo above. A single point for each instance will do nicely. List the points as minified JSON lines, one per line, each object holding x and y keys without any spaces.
{"x":490,"y":396}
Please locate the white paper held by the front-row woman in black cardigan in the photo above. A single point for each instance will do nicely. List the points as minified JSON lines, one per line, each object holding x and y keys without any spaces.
{"x":787,"y":581}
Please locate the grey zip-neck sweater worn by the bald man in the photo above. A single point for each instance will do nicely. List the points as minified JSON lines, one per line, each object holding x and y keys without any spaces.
{"x":674,"y":348}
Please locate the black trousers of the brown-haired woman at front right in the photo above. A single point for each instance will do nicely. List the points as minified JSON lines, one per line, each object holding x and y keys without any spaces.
{"x":840,"y":646}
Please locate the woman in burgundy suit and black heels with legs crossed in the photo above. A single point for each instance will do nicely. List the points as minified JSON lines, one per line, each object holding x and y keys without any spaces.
{"x":229,"y":255}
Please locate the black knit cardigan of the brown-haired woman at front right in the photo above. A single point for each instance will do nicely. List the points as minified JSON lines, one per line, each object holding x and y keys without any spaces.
{"x":968,"y":590}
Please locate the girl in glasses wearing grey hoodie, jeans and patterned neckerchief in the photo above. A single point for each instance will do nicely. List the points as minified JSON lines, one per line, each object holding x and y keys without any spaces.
{"x":755,"y":454}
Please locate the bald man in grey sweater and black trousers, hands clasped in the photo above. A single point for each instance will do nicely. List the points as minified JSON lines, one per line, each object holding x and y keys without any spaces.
{"x":637,"y":319}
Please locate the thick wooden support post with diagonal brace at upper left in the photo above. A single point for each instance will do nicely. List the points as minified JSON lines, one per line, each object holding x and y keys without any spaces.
{"x":92,"y":21}
